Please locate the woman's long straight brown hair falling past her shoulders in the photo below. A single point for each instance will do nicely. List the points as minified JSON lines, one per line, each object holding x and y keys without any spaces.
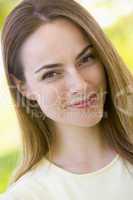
{"x":36,"y":137}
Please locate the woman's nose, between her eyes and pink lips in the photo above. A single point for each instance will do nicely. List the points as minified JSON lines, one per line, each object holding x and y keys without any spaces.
{"x":77,"y":83}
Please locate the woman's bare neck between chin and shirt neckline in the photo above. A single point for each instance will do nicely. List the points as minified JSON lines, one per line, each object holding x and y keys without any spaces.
{"x":78,"y":144}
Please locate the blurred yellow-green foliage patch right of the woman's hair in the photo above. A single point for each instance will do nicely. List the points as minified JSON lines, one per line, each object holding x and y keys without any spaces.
{"x":121,"y":34}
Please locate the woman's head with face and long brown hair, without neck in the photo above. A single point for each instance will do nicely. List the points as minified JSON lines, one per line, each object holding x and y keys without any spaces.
{"x":51,"y":32}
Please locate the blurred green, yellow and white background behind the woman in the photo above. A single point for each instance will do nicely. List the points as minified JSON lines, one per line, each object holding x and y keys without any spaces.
{"x":115,"y":17}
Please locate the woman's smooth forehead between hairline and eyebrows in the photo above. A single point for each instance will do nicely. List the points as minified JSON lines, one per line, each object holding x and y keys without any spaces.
{"x":53,"y":40}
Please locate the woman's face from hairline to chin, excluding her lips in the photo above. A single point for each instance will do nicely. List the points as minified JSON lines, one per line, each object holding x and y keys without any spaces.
{"x":57,"y":75}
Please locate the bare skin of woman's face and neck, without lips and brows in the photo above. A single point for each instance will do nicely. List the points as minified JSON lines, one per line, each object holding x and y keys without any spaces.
{"x":79,"y":145}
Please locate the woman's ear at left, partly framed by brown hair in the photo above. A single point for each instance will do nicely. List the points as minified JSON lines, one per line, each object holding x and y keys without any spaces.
{"x":22,"y":87}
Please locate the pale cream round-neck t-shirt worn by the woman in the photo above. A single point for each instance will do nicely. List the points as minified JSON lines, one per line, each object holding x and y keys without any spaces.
{"x":51,"y":182}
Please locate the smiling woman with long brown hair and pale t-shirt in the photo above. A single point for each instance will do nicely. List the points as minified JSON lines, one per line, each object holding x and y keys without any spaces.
{"x":71,"y":91}
